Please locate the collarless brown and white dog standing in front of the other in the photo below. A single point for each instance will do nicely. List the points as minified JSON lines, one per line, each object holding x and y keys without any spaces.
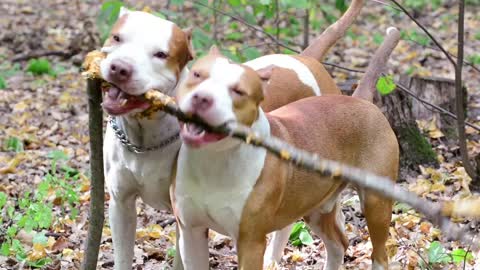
{"x":246,"y":193}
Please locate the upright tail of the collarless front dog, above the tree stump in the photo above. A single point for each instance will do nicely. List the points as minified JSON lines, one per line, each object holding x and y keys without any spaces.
{"x":367,"y":86}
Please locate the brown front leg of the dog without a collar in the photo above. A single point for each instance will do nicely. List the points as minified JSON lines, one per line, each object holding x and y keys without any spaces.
{"x":251,"y":248}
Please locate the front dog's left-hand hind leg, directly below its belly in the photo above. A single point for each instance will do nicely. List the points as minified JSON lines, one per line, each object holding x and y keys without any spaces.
{"x":330,"y":227}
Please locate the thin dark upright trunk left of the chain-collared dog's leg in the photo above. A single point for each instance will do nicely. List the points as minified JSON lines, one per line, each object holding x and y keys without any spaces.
{"x":97,"y":192}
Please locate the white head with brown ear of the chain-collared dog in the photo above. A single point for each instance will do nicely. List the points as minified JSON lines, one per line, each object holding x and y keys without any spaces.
{"x":143,"y":52}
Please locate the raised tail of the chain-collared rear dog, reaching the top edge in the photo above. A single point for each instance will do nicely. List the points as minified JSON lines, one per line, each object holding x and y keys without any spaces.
{"x":320,"y":46}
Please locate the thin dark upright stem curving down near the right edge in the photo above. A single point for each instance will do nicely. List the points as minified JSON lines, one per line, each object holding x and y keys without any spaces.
{"x":459,"y":94}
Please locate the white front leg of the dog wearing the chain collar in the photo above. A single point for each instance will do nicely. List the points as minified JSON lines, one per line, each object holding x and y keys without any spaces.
{"x":123,"y":221}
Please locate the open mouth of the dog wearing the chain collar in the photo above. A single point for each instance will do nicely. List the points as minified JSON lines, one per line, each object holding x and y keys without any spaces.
{"x":117,"y":102}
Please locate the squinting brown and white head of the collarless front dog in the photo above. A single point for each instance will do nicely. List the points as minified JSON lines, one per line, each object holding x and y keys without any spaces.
{"x":218,"y":91}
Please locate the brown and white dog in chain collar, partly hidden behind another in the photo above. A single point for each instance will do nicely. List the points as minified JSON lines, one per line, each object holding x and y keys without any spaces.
{"x":145,"y":52}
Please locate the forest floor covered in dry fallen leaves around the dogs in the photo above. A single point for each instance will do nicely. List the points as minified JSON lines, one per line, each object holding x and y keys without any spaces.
{"x":44,"y":153}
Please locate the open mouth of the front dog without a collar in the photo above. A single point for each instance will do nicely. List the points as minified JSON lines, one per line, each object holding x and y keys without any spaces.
{"x":196,"y":136}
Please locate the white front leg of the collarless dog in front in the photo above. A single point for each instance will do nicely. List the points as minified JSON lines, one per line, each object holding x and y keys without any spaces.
{"x":194,"y":248}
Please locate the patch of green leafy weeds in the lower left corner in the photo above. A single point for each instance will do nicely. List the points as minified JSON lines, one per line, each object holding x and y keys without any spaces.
{"x":34,"y":211}
